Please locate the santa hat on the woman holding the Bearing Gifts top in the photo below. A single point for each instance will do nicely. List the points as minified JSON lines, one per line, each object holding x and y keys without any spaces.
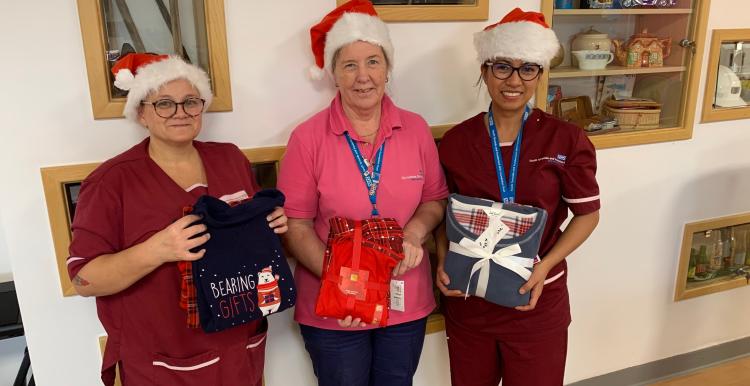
{"x":142,"y":74}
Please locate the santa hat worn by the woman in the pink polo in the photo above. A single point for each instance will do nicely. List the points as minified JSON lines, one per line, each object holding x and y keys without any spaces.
{"x":355,"y":20}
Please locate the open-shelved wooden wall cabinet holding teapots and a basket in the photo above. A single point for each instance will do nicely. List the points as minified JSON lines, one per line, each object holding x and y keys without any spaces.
{"x":674,"y":84}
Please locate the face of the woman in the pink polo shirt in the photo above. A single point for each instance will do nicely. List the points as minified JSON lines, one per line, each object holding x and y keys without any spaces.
{"x":360,"y":70}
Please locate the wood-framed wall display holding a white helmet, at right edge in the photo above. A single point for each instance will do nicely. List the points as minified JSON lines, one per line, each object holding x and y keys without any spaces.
{"x":727,"y":95}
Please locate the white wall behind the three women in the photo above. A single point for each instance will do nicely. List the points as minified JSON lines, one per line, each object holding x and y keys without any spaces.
{"x":622,"y":280}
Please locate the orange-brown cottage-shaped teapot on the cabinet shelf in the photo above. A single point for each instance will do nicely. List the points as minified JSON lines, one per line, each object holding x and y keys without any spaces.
{"x":642,"y":50}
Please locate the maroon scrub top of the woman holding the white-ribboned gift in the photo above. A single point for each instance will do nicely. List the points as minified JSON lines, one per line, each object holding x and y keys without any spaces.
{"x":556,"y":172}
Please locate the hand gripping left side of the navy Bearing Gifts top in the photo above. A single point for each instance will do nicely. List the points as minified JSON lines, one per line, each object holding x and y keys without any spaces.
{"x":174,"y":242}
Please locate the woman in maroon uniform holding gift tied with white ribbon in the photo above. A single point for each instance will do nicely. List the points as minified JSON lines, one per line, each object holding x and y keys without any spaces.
{"x":551,"y":165}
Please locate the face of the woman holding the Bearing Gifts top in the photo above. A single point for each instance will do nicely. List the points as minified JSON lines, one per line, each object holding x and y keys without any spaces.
{"x":181,"y":128}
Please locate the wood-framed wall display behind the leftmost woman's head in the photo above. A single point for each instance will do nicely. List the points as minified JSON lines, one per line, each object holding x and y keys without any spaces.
{"x":192,"y":29}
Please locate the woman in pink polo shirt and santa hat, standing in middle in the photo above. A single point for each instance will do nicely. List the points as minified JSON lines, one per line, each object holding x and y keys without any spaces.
{"x":321,"y":179}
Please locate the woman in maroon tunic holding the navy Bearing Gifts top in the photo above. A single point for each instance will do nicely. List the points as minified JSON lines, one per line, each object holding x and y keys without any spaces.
{"x":130,"y":233}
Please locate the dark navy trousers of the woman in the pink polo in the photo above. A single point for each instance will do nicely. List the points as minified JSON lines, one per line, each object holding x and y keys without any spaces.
{"x":386,"y":356}
